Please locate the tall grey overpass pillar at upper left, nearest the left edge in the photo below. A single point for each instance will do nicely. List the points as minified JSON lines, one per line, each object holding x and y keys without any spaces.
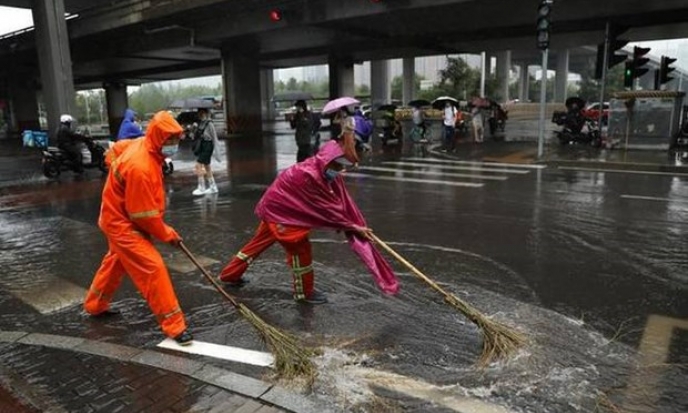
{"x":54,"y":59}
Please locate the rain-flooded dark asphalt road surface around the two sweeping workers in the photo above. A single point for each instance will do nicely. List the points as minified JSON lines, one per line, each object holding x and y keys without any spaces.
{"x":589,"y":265}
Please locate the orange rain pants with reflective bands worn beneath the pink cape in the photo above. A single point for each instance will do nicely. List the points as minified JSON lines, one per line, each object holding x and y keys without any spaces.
{"x":295,"y":242}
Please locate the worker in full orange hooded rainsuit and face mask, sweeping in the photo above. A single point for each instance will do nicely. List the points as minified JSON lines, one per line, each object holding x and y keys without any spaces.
{"x":131,"y":214}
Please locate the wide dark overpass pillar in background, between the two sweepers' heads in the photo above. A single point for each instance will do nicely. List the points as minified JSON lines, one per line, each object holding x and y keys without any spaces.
{"x":241,"y":91}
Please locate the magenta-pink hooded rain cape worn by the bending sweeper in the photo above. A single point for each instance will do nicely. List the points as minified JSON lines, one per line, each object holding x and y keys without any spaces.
{"x":301,"y":196}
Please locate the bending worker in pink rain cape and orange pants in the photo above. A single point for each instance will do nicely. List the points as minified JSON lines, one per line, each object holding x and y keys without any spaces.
{"x":310,"y":194}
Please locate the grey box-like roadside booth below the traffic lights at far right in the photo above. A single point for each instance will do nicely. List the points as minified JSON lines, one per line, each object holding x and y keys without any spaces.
{"x":644,"y":118}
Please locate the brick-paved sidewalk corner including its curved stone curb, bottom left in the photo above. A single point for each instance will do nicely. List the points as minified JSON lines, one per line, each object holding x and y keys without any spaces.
{"x":59,"y":374}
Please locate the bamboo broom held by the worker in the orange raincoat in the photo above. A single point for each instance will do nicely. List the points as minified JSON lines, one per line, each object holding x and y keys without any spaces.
{"x":291,"y":358}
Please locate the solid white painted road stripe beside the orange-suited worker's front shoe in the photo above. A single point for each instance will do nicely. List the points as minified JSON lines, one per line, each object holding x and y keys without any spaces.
{"x":236,"y":354}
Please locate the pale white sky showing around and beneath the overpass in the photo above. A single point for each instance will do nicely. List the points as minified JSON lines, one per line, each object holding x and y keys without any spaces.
{"x":12,"y":19}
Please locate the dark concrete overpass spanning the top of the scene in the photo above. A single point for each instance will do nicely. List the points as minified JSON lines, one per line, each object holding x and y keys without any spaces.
{"x":115,"y":43}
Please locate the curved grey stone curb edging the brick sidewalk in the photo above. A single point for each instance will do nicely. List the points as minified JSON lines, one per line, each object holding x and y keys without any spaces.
{"x":225,"y":379}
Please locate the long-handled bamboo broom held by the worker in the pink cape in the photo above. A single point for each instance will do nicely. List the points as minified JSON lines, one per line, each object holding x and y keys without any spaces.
{"x":499,"y":340}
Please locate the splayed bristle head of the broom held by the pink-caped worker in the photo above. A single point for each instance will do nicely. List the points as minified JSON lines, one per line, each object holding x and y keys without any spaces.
{"x":499,"y":340}
